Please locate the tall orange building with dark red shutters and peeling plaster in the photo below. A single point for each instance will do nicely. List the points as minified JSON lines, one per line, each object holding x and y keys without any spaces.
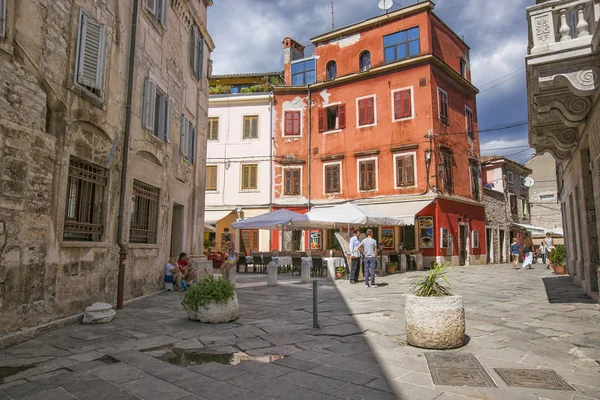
{"x":391,"y":124}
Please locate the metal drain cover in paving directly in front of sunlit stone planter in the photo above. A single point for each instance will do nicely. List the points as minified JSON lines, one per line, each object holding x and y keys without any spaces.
{"x":462,"y":369}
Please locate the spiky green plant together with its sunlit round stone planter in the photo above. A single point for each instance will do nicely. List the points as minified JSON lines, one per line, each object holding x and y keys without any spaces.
{"x":435,"y":319}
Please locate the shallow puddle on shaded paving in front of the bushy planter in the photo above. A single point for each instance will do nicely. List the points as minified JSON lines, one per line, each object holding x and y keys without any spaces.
{"x":183,"y":357}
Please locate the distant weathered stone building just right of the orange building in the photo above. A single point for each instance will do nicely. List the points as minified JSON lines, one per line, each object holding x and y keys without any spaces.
{"x":507,"y":208}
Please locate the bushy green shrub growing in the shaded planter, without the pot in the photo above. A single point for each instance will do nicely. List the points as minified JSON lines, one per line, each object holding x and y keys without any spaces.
{"x":208,"y":289}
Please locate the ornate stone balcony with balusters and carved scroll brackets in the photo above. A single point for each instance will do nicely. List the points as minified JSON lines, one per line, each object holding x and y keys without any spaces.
{"x":563,"y":72}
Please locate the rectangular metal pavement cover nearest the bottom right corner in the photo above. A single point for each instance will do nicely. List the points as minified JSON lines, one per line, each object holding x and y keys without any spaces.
{"x":533,"y":378}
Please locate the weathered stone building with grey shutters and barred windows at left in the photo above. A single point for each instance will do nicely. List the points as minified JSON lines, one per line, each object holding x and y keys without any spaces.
{"x":72,"y":101}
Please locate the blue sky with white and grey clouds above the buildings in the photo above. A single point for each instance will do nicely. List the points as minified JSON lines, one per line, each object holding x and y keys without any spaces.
{"x":248,"y":36}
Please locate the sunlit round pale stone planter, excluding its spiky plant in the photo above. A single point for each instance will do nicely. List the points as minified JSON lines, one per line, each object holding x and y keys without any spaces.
{"x":435,"y":322}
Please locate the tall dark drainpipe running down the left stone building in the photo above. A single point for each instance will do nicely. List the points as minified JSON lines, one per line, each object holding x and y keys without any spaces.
{"x":122,"y":244}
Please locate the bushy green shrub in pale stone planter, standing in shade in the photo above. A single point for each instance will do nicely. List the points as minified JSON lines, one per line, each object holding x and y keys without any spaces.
{"x":211,"y":301}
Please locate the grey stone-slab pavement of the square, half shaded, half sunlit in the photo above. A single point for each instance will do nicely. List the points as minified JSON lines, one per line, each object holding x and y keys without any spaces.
{"x":523,"y":320}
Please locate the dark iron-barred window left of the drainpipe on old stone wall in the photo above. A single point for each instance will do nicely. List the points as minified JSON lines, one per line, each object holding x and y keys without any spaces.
{"x":84,"y":215}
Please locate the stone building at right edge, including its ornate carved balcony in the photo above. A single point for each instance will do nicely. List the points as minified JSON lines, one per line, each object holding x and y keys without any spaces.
{"x":563,"y":88}
